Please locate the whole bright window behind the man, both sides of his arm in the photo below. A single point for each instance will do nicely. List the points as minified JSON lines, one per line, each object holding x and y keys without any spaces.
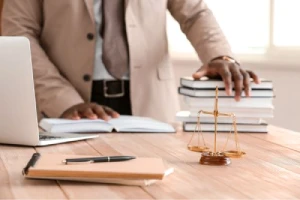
{"x":252,"y":27}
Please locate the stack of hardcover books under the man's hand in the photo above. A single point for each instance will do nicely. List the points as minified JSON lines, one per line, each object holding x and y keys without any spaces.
{"x":250,"y":112}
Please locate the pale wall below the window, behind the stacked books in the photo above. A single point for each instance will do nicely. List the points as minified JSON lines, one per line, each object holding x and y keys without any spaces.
{"x":286,"y":84}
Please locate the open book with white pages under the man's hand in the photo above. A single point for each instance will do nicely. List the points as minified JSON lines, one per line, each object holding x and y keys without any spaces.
{"x":121,"y":124}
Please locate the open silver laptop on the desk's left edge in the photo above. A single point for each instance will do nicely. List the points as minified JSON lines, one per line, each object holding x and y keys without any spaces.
{"x":18,"y":117}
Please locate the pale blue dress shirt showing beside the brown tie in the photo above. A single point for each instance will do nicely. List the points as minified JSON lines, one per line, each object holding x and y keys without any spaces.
{"x":100,"y":72}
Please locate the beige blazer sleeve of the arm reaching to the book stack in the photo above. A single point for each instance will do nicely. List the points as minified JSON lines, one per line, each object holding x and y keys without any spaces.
{"x":198,"y":23}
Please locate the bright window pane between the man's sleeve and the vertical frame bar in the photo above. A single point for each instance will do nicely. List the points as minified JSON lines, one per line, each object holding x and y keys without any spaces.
{"x":245,"y":24}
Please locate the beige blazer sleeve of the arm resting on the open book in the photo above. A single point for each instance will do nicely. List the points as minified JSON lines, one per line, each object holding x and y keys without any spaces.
{"x":54,"y":94}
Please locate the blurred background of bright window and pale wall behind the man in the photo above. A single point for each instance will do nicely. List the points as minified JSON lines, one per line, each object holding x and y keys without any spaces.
{"x":265,"y":37}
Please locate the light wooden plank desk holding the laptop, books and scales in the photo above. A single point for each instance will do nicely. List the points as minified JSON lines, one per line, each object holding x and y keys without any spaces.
{"x":271,"y":169}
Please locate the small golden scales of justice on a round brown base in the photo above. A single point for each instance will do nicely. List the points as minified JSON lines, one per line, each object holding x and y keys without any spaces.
{"x":216,"y":157}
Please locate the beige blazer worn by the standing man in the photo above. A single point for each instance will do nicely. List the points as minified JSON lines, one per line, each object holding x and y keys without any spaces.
{"x":63,"y":49}
